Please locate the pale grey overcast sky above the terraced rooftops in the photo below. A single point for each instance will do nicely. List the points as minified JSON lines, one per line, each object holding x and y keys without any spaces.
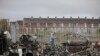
{"x":18,"y":9}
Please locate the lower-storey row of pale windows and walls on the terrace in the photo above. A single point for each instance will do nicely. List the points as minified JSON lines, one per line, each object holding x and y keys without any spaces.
{"x":76,"y":30}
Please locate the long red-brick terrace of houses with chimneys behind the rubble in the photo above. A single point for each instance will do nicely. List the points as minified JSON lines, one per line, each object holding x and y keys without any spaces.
{"x":80,"y":25}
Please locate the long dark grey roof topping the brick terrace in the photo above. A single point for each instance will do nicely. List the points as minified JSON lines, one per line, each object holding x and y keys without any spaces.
{"x":62,"y":20}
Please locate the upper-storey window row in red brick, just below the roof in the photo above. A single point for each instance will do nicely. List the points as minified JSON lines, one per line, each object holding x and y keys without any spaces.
{"x":50,"y":25}
